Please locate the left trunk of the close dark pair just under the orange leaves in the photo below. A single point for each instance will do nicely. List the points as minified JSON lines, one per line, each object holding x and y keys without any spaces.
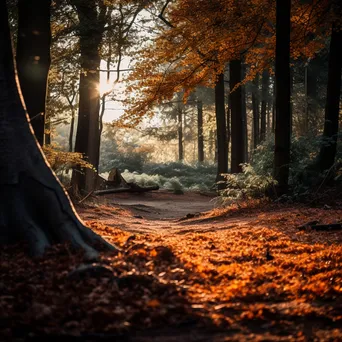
{"x":222,"y":148}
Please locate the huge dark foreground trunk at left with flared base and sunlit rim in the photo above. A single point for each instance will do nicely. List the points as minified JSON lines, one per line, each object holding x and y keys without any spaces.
{"x":34,"y":207}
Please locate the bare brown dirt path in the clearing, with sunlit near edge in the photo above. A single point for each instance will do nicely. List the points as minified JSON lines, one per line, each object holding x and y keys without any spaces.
{"x":155,"y":212}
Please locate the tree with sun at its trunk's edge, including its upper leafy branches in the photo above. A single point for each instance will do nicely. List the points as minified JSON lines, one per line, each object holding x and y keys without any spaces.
{"x":96,"y":18}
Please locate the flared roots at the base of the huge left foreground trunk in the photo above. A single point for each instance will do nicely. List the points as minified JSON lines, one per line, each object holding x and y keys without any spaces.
{"x":32,"y":213}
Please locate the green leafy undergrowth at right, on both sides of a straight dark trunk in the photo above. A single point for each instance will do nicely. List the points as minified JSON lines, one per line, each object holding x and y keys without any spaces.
{"x":256,"y":179}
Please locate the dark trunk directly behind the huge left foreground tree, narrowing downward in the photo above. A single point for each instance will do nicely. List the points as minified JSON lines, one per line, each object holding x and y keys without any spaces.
{"x":33,"y":59}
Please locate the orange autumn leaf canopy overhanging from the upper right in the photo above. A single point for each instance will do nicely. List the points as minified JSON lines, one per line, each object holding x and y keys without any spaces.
{"x":205,"y":35}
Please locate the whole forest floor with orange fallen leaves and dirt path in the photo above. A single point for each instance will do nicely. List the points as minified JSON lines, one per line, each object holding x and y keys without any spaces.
{"x":187,"y":272}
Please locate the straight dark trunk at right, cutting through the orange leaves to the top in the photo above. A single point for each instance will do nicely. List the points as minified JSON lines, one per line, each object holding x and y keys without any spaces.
{"x":283,"y":96}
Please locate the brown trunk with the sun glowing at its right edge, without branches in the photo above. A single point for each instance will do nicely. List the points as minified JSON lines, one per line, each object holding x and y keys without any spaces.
{"x":88,"y":126}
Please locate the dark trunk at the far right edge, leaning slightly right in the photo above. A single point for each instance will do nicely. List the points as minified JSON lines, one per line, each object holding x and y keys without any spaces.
{"x":328,"y":149}
